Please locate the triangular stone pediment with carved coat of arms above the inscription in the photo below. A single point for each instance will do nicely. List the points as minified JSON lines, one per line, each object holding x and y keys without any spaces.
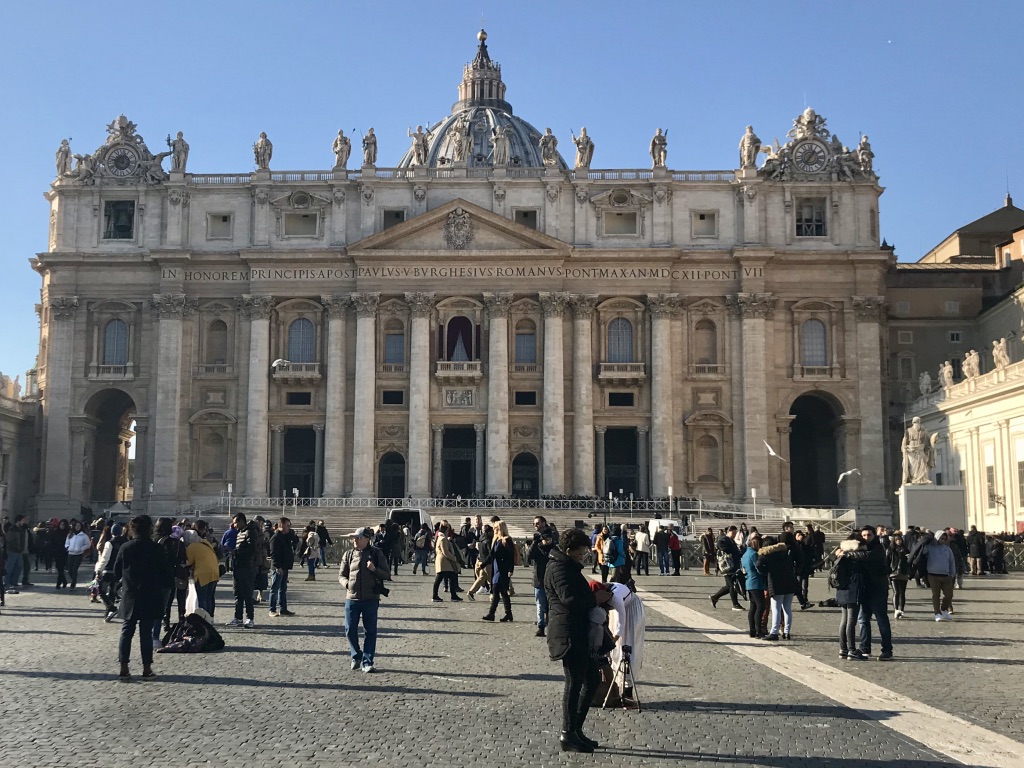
{"x":459,"y":227}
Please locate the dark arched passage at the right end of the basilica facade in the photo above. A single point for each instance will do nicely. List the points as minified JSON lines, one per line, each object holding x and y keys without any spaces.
{"x":815,"y":452}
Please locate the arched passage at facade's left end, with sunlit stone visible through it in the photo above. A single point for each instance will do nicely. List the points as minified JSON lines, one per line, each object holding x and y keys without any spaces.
{"x":107,"y":448}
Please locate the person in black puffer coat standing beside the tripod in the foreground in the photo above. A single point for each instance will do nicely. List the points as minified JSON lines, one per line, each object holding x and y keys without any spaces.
{"x":570,"y":602}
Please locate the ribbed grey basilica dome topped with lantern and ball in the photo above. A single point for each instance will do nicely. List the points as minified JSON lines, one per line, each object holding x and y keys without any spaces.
{"x":481,"y":111}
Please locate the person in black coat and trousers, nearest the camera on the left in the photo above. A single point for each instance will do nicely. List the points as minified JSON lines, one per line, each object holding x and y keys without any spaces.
{"x":145,"y":576}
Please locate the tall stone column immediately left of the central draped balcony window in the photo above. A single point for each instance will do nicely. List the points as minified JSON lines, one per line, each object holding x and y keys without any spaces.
{"x":421,"y":306}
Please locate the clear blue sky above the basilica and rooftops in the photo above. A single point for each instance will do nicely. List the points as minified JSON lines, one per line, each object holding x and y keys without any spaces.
{"x":936,"y":86}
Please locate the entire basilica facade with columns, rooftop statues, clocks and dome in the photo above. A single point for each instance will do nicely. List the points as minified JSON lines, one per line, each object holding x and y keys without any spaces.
{"x":484,"y":319}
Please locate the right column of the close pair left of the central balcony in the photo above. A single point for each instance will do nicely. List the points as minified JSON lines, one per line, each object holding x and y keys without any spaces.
{"x":365,"y":406}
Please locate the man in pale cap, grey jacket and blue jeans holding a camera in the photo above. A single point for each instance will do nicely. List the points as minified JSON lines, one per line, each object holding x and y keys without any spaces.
{"x":364,"y":571}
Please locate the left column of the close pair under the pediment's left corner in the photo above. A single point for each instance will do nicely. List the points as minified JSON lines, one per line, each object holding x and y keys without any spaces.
{"x":334,"y":438}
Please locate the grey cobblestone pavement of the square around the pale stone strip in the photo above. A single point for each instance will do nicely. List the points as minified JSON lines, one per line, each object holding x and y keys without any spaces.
{"x":452,"y":690}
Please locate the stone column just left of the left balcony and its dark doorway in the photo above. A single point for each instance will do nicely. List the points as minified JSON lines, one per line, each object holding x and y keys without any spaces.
{"x":259,"y":309}
